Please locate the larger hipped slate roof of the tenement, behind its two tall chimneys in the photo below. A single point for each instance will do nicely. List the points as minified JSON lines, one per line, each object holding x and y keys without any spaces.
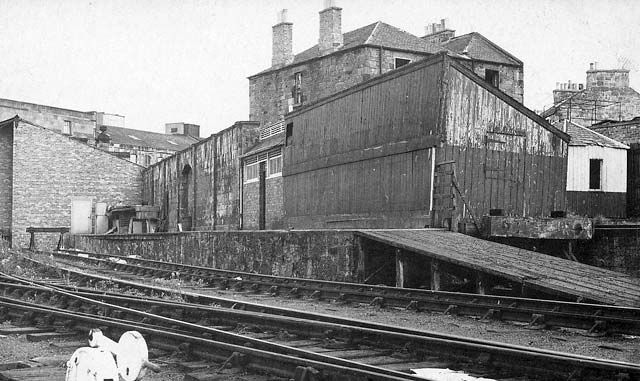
{"x":376,"y":34}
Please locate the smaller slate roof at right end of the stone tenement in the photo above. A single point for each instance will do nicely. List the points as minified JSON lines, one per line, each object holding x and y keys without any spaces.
{"x":478,"y":47}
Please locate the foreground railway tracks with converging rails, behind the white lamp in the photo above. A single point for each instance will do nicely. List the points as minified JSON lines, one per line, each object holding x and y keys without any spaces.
{"x":328,"y":348}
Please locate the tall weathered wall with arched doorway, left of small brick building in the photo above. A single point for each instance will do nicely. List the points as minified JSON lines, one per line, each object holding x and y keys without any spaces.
{"x":200,"y":186}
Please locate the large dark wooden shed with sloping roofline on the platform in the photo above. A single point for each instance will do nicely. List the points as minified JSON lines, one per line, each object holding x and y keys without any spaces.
{"x":430,"y":144}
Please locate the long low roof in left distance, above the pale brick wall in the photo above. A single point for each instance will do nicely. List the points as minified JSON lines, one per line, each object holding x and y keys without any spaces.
{"x":128,"y":136}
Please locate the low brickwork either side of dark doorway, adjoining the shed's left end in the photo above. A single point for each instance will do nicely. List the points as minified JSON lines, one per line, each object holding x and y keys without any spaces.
{"x":274,"y":204}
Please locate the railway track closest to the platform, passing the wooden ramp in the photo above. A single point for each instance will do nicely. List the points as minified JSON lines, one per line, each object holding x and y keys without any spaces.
{"x":595,"y":319}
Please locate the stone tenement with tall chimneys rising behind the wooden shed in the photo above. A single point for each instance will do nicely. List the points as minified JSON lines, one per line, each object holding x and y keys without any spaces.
{"x":342,"y":60}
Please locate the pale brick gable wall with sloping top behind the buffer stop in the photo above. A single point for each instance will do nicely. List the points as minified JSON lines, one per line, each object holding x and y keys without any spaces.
{"x":50,"y":169}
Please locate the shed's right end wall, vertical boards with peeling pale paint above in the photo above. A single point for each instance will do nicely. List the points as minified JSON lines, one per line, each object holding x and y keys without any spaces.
{"x":503,"y":156}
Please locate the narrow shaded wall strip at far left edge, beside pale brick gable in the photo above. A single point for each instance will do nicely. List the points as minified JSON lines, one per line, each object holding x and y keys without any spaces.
{"x":6,"y":170}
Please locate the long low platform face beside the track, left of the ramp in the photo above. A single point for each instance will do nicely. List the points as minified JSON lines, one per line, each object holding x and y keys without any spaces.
{"x":329,"y":255}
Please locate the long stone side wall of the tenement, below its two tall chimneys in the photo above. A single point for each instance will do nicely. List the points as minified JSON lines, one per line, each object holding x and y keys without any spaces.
{"x":269,"y":93}
